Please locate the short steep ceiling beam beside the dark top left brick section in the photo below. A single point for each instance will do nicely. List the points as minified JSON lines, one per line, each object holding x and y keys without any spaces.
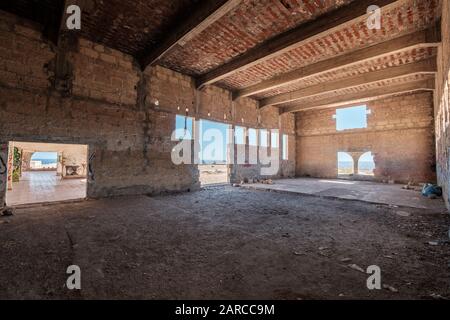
{"x":209,"y":12}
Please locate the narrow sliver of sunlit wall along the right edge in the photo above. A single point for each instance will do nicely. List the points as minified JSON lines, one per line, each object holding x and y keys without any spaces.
{"x":442,"y":107}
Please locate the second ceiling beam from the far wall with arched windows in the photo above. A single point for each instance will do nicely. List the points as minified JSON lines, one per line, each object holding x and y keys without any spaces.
{"x":423,"y":67}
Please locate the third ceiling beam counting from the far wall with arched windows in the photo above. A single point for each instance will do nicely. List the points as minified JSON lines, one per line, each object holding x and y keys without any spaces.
{"x":417,"y":40}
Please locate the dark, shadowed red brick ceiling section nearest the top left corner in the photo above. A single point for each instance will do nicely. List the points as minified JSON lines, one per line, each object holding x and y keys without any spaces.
{"x":132,"y":26}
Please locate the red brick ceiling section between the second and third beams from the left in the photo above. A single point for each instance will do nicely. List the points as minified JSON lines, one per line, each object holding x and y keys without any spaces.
{"x":251,"y":23}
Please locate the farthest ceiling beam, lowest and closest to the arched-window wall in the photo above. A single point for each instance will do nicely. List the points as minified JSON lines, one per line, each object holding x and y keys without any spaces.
{"x":372,"y":94}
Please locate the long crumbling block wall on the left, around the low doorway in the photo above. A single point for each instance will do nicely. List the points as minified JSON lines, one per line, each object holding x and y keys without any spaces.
{"x":84,"y":93}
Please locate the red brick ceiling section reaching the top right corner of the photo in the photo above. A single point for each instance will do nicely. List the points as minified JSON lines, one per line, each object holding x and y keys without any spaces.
{"x":405,"y":18}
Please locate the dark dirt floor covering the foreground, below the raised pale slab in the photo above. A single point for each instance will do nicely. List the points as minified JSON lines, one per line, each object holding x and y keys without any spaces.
{"x":224,"y":243}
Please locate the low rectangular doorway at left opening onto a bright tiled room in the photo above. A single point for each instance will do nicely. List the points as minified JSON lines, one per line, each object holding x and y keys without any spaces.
{"x":46,"y":172}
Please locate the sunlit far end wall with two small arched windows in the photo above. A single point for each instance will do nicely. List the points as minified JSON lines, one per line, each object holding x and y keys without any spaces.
{"x":399,"y":134}
